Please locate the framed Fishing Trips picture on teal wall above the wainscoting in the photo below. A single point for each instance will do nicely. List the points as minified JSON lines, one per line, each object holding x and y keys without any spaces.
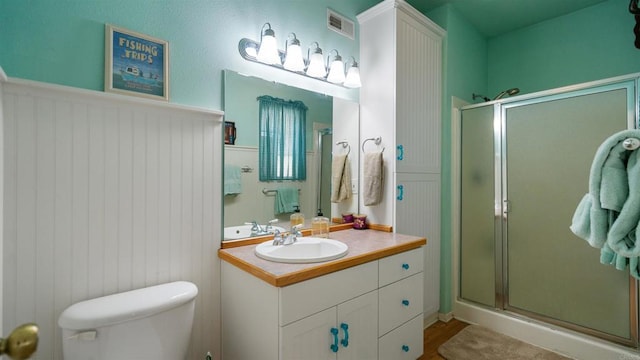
{"x":136,"y":64}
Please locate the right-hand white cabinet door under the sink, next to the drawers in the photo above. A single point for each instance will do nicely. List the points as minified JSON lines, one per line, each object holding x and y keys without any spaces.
{"x":357,"y":319}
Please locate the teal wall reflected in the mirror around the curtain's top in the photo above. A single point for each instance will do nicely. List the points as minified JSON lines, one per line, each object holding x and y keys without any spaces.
{"x":241,"y":106}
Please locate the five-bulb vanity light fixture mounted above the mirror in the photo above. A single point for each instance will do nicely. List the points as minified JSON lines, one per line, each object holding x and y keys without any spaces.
{"x":291,"y":59}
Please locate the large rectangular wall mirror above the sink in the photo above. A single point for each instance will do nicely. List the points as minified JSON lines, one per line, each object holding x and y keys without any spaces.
{"x":332,"y":127}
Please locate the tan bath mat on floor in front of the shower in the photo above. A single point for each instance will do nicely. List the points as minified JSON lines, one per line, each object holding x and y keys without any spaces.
{"x":479,"y":343}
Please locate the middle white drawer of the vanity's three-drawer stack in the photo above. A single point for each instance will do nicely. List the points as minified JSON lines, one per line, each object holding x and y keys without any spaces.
{"x":399,"y":302}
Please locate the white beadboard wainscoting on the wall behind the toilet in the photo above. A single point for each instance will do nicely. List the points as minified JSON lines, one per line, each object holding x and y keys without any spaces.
{"x":104,"y":194}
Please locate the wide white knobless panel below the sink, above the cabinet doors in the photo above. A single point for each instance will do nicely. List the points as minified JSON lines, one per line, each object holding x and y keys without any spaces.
{"x":308,"y":297}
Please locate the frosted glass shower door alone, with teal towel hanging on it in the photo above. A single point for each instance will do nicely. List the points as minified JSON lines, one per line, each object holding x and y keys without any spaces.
{"x":548,"y":147}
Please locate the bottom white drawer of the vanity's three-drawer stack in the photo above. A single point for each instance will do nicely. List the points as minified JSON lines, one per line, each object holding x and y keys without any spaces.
{"x":404,"y":342}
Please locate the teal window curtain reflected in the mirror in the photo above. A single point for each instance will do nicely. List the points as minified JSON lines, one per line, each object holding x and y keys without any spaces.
{"x":282,"y":142}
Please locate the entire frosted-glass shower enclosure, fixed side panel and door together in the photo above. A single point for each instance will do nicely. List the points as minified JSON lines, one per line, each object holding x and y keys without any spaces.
{"x":524,"y":168}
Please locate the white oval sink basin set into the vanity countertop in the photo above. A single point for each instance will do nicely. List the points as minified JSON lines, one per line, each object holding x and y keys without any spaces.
{"x":305,"y":250}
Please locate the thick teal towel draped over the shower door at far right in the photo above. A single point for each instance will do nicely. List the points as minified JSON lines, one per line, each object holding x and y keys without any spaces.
{"x":608,"y":216}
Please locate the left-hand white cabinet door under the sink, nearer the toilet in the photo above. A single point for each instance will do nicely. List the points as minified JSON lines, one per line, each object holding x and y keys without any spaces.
{"x":310,"y":338}
